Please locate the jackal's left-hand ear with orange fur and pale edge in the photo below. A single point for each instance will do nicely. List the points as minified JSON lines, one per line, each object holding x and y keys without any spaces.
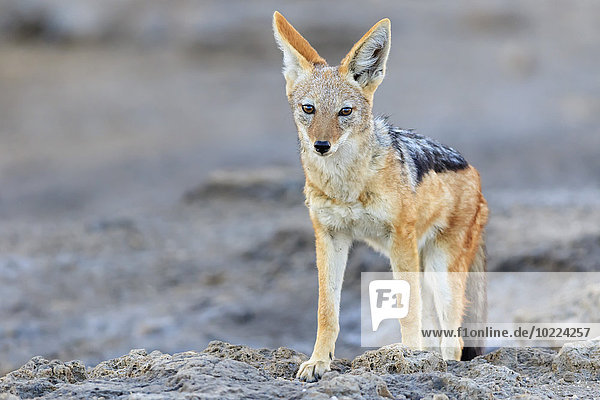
{"x":298,"y":54}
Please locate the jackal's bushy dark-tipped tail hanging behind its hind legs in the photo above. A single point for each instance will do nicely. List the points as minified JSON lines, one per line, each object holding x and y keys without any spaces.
{"x":476,"y":308}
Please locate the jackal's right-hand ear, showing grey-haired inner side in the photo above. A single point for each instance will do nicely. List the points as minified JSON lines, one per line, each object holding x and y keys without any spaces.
{"x":365,"y":63}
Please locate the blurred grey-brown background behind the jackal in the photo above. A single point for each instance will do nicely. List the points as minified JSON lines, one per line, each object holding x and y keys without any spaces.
{"x":140,"y":205}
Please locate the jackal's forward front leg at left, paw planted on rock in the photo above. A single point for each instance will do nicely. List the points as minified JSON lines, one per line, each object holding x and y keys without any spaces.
{"x":332,"y":254}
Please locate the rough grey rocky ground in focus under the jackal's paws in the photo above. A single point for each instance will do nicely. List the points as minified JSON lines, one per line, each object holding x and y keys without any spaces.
{"x":226,"y":371}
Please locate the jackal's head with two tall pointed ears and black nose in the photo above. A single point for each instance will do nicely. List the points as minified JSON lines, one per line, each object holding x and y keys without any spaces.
{"x":332,"y":106}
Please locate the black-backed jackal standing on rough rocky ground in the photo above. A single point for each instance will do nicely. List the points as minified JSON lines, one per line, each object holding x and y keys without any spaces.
{"x":409,"y":197}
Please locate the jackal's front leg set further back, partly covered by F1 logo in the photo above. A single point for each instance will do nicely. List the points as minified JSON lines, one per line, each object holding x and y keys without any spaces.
{"x":404,"y":257}
